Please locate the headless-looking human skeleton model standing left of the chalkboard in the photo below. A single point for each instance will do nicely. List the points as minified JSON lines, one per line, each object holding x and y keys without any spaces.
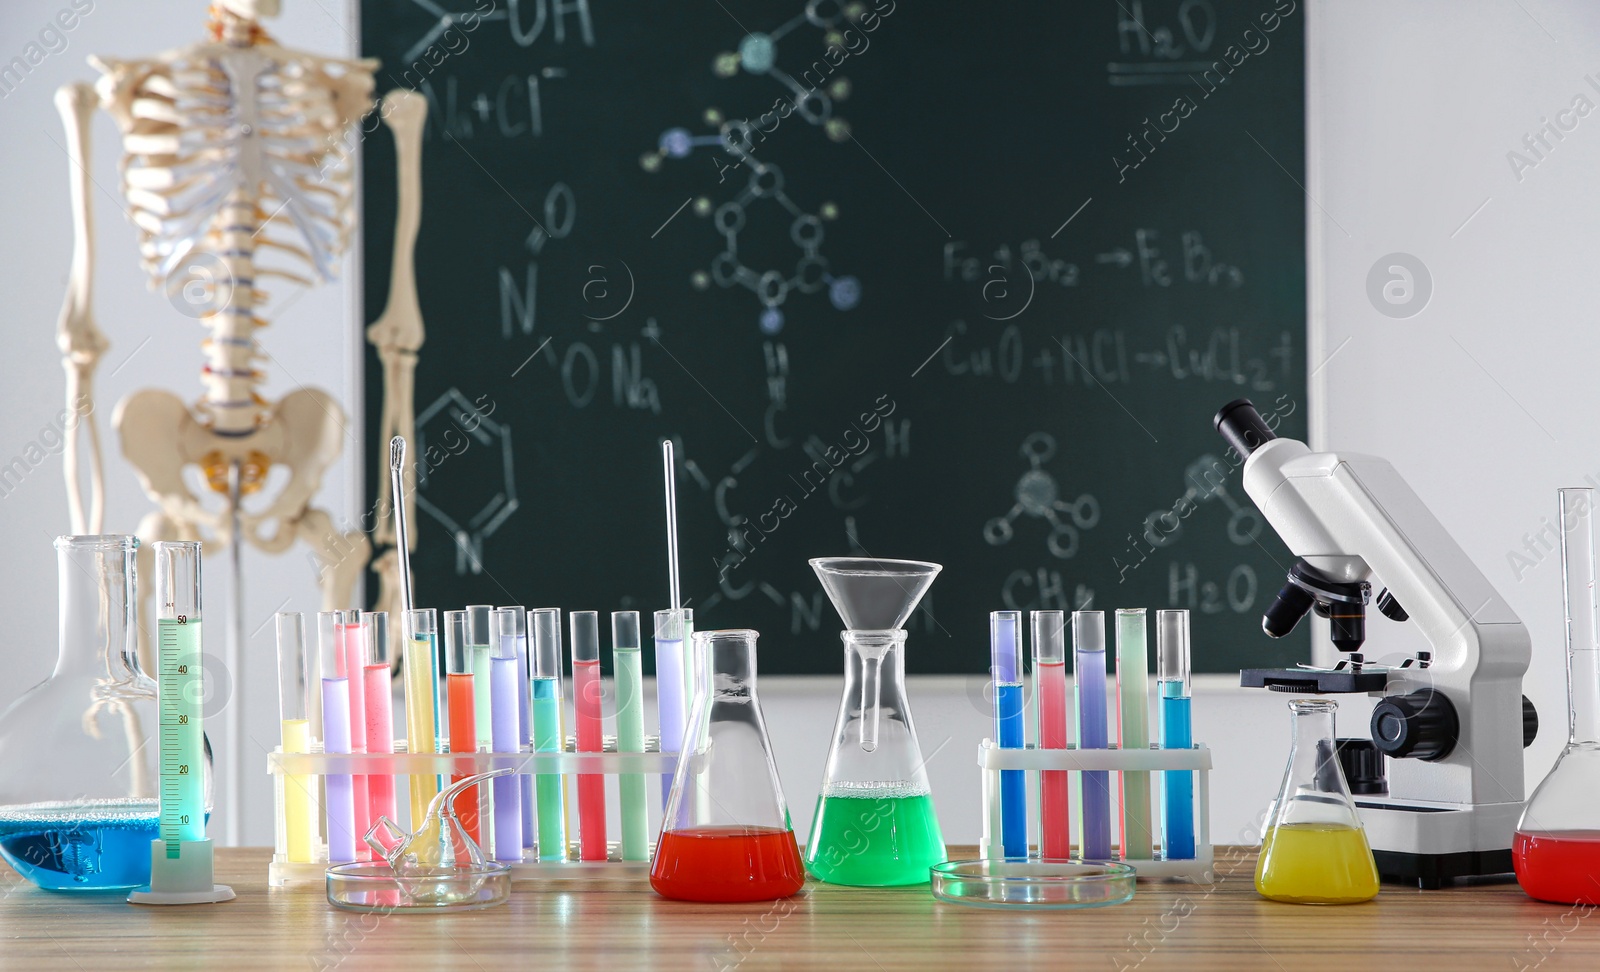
{"x":236,"y":170}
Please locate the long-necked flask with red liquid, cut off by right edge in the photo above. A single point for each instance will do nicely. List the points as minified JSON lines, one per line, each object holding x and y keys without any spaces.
{"x":1558,"y":845}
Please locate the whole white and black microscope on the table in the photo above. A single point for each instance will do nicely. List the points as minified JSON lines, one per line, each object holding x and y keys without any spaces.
{"x":1452,"y":720}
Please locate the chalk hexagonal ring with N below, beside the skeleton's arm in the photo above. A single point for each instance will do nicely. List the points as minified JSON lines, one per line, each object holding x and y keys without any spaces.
{"x":490,"y":471}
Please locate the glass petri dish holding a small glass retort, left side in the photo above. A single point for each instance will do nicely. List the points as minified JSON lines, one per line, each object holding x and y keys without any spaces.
{"x":374,"y":886}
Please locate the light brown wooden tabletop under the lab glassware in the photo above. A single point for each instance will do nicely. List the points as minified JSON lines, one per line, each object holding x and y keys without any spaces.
{"x":623,"y":925}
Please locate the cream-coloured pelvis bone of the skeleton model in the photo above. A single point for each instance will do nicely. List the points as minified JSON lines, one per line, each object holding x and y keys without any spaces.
{"x":161,"y":436}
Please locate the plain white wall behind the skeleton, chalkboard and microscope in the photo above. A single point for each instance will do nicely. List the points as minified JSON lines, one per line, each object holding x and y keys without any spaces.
{"x":1414,"y":108}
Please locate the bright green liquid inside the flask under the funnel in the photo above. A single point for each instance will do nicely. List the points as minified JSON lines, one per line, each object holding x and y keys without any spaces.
{"x":874,"y":837}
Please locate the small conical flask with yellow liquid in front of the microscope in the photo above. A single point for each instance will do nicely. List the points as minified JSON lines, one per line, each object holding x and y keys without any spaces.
{"x":1316,"y":851}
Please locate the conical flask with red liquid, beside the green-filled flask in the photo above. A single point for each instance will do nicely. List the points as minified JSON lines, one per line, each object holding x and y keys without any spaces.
{"x":726,"y":835}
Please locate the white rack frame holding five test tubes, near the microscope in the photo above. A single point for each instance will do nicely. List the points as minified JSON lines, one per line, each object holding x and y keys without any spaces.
{"x":993,"y":760}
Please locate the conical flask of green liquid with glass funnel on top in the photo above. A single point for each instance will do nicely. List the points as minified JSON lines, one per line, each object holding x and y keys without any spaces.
{"x":874,"y":823}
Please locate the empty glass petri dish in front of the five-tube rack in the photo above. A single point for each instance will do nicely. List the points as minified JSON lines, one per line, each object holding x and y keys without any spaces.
{"x":1030,"y":883}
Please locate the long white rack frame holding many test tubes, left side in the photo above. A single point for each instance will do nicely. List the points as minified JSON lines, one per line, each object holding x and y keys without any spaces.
{"x":570,"y":763}
